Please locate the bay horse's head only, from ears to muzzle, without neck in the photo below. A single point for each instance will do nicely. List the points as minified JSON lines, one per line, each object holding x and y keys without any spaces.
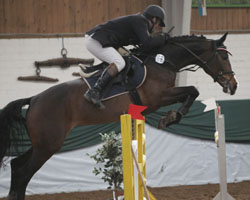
{"x":218,"y":66}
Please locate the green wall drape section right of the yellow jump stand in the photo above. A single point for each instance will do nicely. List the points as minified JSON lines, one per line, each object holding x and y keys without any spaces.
{"x":202,"y":125}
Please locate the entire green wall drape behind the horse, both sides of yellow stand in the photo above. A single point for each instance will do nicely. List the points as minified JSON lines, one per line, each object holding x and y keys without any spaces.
{"x":195,"y":124}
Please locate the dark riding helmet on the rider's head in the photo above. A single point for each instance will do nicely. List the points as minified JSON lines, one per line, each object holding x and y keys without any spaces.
{"x":155,"y":11}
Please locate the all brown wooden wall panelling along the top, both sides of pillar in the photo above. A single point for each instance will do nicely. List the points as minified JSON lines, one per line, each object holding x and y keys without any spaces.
{"x":78,"y":16}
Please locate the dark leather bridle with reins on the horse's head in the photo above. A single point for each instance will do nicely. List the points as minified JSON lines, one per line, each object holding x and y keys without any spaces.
{"x":217,"y":78}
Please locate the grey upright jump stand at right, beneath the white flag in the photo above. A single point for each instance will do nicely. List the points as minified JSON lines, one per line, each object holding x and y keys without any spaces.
{"x":221,"y":148}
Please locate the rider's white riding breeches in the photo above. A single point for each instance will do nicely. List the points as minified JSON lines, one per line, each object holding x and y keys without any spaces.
{"x":106,"y":54}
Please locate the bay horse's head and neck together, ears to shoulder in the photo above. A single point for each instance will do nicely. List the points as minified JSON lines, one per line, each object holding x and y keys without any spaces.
{"x":211,"y":55}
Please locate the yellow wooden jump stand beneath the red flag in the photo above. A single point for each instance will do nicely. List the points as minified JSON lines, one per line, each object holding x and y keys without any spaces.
{"x":134,"y":159}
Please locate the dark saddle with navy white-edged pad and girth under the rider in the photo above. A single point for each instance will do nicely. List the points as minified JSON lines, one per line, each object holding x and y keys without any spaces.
{"x":127,"y":81}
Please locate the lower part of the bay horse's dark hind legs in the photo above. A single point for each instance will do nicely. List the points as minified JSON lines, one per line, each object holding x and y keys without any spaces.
{"x":22,"y":174}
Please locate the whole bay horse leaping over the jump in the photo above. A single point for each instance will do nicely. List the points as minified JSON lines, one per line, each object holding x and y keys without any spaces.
{"x":53,"y":113}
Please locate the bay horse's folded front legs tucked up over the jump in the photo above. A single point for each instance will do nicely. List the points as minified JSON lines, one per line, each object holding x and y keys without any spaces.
{"x":185,"y":95}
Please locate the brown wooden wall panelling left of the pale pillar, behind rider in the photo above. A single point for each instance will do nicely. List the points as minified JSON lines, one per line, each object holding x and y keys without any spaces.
{"x":62,"y":16}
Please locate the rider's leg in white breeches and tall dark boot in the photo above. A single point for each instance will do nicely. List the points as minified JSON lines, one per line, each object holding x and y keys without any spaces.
{"x":109,"y":55}
